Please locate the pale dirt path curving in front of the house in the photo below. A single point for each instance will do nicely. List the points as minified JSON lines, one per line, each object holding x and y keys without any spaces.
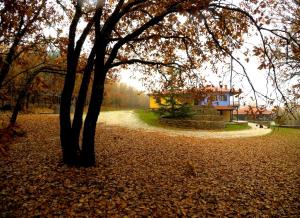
{"x":130,"y":120}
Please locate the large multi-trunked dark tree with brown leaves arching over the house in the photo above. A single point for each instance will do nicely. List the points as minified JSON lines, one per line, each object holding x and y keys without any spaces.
{"x":143,"y":33}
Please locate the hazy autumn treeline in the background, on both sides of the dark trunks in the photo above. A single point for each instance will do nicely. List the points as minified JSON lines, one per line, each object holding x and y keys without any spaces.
{"x":44,"y":92}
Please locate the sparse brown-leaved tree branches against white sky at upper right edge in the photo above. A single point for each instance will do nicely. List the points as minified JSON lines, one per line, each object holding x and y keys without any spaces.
{"x":278,"y":25}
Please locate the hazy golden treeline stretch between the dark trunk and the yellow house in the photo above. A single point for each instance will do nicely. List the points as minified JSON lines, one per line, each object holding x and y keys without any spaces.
{"x":120,"y":95}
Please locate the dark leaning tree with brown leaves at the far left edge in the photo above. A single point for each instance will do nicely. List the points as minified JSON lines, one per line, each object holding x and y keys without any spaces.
{"x":22,"y":40}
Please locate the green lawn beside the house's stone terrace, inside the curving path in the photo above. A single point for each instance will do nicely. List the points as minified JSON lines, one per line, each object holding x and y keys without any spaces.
{"x":152,"y":119}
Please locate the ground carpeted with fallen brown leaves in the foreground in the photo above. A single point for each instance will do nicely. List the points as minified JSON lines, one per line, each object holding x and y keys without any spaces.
{"x":146,"y":174}
